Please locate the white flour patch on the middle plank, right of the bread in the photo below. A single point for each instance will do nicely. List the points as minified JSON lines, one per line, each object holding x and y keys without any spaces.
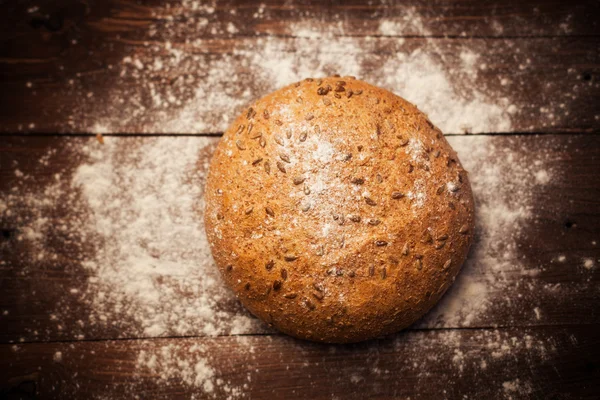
{"x":503,"y":187}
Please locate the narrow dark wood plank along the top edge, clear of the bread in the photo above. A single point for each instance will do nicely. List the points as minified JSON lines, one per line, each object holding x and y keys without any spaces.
{"x":273,"y":17}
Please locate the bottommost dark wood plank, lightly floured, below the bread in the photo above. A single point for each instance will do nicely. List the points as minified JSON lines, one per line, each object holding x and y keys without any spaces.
{"x":533,"y":363}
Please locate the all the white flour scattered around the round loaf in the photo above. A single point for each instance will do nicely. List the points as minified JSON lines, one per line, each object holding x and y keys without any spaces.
{"x":138,"y":229}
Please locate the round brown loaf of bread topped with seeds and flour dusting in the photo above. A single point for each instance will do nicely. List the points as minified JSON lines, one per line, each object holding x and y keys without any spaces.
{"x":336,"y":211}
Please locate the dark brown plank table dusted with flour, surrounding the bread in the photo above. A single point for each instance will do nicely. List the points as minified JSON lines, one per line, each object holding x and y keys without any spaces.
{"x":110,"y":112}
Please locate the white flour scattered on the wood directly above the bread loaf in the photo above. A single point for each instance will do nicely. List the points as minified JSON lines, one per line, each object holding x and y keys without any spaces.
{"x":189,"y":87}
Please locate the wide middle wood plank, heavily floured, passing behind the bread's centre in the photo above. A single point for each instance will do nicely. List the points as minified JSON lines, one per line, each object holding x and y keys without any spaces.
{"x":106,"y":240}
